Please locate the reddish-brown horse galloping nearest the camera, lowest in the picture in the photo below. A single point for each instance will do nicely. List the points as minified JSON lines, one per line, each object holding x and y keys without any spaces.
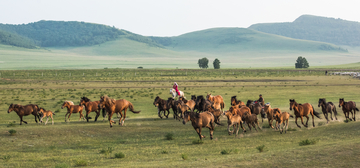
{"x":200,"y":120}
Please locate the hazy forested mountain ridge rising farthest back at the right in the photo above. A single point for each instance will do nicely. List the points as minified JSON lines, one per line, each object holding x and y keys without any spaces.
{"x":316,"y":28}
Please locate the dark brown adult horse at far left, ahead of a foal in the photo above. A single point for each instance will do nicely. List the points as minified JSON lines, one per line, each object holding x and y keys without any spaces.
{"x":24,"y":111}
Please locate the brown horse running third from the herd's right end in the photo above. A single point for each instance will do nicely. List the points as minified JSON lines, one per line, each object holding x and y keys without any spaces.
{"x":303,"y":110}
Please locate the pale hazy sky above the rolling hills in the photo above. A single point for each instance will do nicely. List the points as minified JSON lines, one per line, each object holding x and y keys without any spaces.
{"x":173,"y":17}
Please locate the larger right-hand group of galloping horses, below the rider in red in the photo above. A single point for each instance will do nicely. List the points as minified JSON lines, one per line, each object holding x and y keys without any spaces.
{"x":205,"y":112}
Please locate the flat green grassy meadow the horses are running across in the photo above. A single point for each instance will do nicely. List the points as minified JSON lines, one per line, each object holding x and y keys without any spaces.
{"x":148,"y":141}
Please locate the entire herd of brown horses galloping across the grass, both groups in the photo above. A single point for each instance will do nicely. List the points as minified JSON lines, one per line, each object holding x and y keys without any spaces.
{"x":201,"y":111}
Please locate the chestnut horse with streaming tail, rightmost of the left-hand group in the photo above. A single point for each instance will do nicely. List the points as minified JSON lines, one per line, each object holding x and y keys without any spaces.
{"x":113,"y":106}
